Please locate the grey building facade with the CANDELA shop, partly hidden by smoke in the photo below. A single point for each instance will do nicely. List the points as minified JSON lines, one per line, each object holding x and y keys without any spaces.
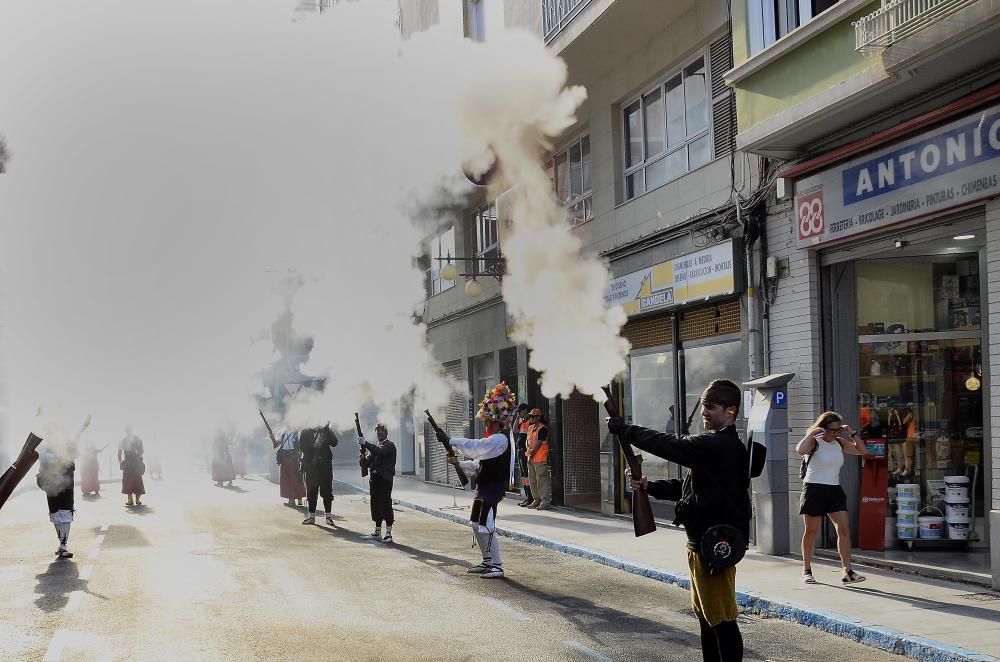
{"x":649,"y":179}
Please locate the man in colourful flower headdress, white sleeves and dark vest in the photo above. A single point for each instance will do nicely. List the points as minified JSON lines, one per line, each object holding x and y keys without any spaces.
{"x":495,"y":459}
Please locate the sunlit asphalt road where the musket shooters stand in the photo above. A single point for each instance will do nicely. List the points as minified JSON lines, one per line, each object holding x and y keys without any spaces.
{"x":207,"y":573}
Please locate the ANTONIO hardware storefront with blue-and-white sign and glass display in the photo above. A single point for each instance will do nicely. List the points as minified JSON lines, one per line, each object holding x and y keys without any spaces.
{"x":901,"y":240}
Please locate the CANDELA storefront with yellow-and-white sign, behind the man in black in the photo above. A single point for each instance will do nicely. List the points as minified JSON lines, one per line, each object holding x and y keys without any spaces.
{"x":679,"y":343}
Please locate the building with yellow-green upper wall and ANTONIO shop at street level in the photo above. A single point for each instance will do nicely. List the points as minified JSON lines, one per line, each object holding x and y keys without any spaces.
{"x":883,"y":229}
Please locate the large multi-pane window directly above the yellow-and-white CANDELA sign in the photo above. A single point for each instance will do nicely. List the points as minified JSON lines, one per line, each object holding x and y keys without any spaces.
{"x":667,"y":130}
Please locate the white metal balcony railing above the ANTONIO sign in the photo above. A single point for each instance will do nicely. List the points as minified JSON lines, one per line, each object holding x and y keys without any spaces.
{"x":898,"y":19}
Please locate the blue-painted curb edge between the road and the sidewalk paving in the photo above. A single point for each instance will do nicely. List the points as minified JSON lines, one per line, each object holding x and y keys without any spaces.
{"x":848,"y":627}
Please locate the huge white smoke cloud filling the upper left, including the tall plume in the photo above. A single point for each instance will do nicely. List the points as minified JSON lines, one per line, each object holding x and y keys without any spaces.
{"x":177,"y":161}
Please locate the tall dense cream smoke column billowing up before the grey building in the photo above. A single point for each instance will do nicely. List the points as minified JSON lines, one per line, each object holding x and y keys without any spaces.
{"x":553,"y":291}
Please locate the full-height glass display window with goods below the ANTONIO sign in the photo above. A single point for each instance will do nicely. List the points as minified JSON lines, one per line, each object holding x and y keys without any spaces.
{"x":921,"y":396}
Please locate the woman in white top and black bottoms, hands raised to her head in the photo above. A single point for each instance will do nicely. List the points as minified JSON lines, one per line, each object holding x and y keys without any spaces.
{"x":822,"y":494}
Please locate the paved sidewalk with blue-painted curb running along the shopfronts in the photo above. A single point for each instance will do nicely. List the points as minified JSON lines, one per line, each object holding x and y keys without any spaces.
{"x":921,"y":618}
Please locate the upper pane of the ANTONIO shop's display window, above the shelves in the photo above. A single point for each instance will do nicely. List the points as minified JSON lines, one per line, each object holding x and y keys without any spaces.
{"x":918,"y":295}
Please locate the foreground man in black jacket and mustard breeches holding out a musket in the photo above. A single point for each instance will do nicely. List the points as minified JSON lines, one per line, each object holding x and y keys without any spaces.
{"x":713,"y":492}
